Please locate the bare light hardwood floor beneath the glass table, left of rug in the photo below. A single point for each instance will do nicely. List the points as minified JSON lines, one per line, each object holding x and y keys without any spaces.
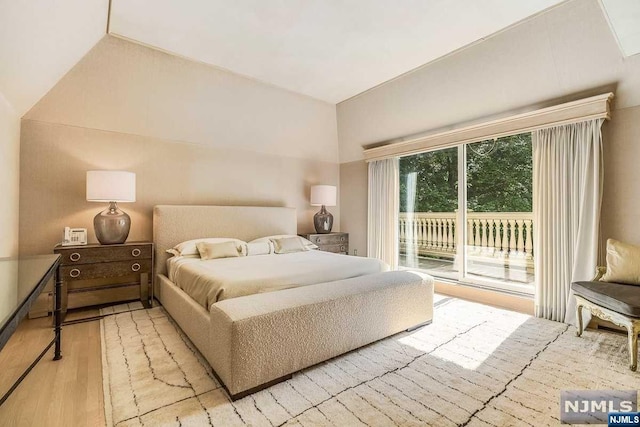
{"x":67,"y":392}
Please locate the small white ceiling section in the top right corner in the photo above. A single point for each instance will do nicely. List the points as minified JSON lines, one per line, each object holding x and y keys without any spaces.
{"x":624,"y":17}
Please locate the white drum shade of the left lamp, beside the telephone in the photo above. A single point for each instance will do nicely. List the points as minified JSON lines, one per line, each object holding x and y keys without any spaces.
{"x":111,"y":186}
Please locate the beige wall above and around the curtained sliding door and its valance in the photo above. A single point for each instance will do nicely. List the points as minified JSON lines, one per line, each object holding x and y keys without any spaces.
{"x":566,"y":53}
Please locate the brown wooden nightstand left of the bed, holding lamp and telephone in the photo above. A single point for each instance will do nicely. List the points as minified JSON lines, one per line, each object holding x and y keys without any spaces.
{"x":102,"y":274}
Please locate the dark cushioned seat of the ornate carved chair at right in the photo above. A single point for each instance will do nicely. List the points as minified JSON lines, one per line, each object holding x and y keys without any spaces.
{"x":624,"y":299}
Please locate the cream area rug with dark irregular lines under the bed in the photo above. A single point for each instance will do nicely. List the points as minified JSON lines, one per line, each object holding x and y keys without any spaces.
{"x":473,"y":366}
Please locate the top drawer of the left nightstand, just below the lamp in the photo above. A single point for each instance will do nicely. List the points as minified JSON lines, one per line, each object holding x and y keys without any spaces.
{"x":89,"y":255}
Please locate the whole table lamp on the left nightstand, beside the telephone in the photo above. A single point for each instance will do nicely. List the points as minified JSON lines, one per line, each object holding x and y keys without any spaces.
{"x":111,"y":225}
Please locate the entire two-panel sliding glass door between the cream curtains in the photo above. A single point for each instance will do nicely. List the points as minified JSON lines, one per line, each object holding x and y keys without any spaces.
{"x":466,"y":213}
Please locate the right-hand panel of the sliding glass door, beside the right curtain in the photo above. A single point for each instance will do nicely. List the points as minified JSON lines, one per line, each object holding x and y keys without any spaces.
{"x":499,"y":246}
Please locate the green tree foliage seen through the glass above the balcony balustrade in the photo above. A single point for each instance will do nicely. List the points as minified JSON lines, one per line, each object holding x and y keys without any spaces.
{"x":499,"y":177}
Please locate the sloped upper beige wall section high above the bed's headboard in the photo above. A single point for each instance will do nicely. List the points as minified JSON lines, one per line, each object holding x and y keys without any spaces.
{"x":124,"y":87}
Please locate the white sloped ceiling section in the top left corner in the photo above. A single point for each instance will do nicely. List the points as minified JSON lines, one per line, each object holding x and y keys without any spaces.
{"x":40,"y":40}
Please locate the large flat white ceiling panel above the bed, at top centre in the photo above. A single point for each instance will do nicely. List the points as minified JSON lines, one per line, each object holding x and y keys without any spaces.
{"x":328,"y":49}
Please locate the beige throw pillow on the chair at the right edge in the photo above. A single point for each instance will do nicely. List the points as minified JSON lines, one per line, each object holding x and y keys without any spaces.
{"x":623,"y":263}
